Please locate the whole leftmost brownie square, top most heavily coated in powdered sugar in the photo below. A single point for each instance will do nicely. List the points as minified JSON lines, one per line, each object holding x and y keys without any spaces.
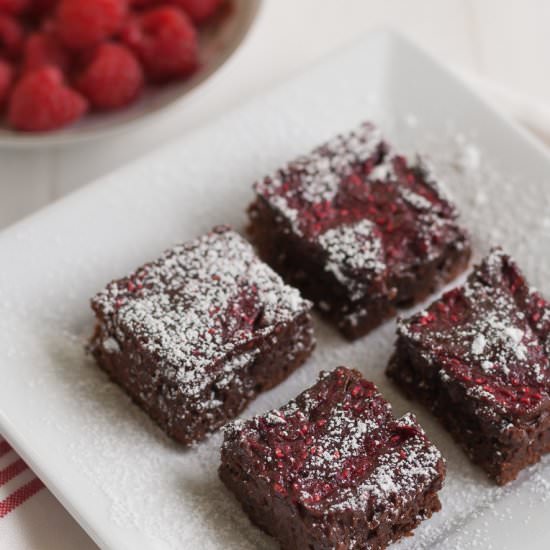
{"x":194,"y":336}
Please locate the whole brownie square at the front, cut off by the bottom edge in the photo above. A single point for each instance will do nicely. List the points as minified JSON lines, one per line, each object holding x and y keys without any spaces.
{"x":333,"y":468}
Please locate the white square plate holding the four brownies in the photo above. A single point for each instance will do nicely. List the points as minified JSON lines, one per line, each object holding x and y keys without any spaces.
{"x":122,"y":479}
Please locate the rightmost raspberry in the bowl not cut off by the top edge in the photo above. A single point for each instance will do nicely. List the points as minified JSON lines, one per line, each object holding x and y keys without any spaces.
{"x":165,"y":41}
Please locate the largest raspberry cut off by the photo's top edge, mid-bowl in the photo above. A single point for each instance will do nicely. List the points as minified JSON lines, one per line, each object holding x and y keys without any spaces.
{"x":84,"y":24}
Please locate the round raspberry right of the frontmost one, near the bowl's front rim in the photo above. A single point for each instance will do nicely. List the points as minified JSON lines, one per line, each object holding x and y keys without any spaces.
{"x":113,"y":78}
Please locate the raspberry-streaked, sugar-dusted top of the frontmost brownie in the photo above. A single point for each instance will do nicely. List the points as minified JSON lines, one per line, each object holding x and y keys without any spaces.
{"x":338,"y":449}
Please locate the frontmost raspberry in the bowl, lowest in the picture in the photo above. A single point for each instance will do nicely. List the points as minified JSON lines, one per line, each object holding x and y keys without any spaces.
{"x":41,"y":101}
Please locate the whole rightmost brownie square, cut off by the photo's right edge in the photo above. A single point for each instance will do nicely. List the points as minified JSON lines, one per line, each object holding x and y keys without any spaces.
{"x":479,"y":359}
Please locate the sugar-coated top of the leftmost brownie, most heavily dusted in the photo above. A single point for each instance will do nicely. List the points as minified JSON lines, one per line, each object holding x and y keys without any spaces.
{"x":196,"y":306}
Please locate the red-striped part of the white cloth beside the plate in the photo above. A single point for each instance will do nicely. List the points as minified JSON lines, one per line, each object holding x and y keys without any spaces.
{"x":17,"y":483}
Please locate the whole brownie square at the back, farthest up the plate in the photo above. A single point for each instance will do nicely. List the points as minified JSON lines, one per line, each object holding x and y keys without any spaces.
{"x":359,"y":229}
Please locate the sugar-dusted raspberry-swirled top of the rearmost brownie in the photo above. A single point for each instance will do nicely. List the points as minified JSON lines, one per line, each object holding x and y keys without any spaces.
{"x":368,"y":212}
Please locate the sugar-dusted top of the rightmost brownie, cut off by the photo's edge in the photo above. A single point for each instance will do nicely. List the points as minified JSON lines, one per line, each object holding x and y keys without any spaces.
{"x":488,"y":336}
